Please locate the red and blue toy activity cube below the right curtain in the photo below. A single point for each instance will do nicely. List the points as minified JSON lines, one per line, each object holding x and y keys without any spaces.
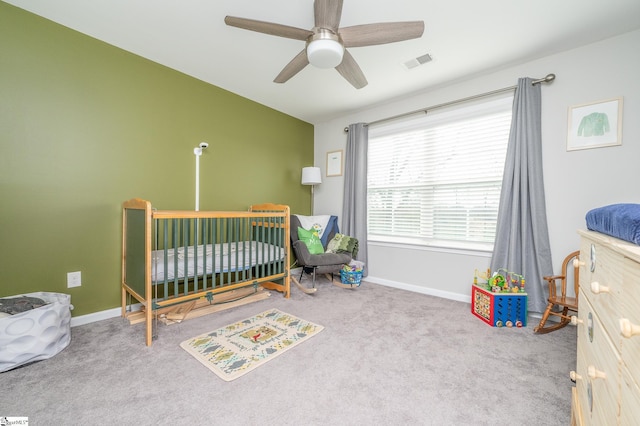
{"x":499,"y":309}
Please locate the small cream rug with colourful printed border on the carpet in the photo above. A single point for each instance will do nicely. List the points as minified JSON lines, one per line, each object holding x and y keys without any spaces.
{"x":238,"y":348}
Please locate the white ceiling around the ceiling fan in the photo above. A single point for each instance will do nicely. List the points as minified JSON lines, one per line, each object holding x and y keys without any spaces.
{"x":464,"y":37}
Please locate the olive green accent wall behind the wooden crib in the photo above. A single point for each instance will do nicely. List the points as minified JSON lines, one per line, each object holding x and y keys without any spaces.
{"x":85,"y":126}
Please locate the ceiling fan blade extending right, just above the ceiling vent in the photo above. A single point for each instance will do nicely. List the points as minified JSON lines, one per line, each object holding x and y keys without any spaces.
{"x":381,"y":33}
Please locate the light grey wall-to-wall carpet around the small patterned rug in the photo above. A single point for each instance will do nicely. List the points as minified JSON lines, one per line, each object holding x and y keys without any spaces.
{"x":386,"y":356}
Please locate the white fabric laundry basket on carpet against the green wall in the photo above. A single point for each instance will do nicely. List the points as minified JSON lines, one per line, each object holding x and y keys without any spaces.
{"x":36,"y":334}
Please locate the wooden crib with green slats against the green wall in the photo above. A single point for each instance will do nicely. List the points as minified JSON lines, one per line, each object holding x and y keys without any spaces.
{"x":176,"y":261}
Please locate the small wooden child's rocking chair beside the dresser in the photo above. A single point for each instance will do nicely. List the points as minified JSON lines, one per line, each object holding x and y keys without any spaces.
{"x":561,"y":300}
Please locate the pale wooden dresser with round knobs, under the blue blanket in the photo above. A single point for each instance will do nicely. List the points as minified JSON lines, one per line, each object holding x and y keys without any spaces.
{"x":607,"y":376}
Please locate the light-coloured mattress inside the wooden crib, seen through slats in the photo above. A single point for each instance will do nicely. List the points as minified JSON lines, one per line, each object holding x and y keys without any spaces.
{"x":211,"y":258}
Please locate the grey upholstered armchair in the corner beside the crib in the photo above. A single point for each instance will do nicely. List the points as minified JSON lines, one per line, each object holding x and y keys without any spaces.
{"x":323,"y":263}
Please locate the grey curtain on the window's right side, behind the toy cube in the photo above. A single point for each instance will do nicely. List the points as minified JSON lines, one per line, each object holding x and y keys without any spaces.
{"x":522,"y":236}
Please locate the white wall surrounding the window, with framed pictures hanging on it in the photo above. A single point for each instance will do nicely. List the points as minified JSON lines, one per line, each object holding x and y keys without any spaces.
{"x":575,"y":181}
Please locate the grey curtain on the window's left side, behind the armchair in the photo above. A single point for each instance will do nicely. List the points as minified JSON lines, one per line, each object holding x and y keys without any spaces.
{"x":354,"y":204}
